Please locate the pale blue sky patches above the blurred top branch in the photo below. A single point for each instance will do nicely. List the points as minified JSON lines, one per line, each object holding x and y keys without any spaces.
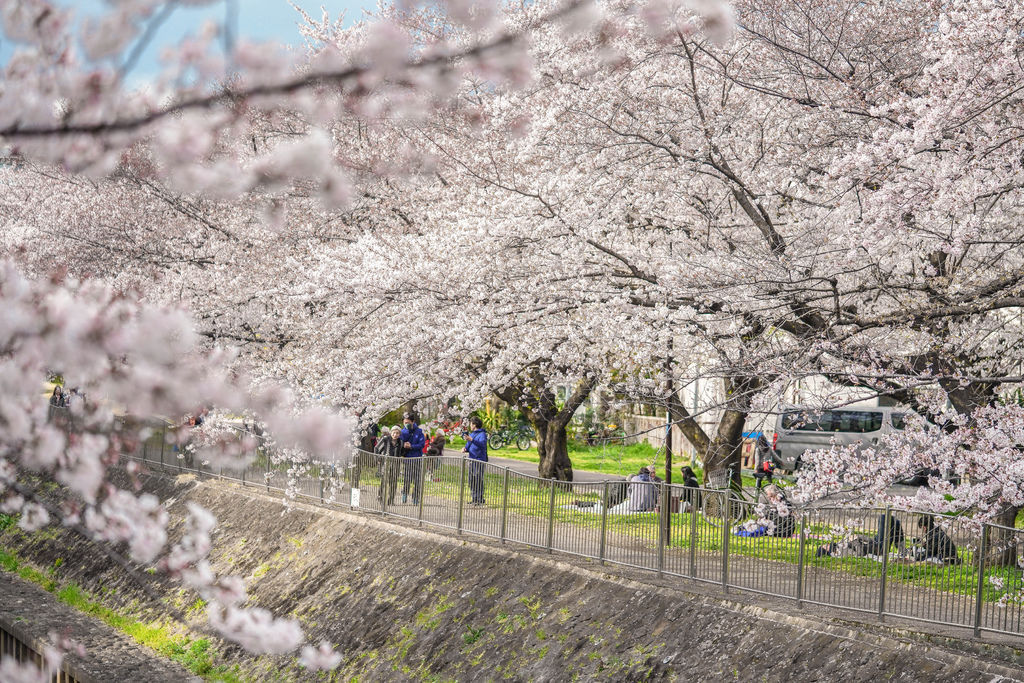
{"x":261,"y":20}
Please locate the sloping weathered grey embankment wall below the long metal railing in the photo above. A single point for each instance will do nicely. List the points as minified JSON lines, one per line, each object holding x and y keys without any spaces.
{"x":406,"y":605}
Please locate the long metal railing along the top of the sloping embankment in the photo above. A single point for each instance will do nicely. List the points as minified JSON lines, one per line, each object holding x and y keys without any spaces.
{"x":849,"y":559}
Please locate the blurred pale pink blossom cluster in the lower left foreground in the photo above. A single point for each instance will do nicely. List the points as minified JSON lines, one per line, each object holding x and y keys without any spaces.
{"x":125,"y":354}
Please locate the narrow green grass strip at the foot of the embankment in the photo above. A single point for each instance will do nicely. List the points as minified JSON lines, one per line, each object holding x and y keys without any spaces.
{"x":196,"y":655}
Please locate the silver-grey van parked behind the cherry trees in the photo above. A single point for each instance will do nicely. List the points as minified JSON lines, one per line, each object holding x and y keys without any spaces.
{"x":801,"y":430}
